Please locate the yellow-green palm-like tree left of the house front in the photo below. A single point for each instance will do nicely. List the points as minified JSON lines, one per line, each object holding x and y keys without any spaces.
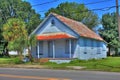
{"x":15,"y":33}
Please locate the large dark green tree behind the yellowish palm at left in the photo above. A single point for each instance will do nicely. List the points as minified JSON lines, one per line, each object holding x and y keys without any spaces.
{"x":19,"y":9}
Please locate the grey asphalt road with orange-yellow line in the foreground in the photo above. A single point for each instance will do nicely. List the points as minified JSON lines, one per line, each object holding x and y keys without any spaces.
{"x":47,"y":74}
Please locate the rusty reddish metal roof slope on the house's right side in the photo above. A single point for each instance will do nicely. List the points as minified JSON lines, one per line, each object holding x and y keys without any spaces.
{"x":78,"y":27}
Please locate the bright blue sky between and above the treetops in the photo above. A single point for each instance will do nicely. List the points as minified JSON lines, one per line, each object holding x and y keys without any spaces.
{"x":46,"y":7}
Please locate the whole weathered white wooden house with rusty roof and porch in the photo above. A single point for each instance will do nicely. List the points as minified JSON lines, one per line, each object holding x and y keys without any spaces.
{"x":61,"y":37}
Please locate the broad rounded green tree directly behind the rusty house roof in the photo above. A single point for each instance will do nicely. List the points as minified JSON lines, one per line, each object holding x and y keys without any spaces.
{"x":77,"y":12}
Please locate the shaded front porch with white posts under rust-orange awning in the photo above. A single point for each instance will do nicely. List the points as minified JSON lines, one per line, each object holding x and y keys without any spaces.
{"x":55,"y":48}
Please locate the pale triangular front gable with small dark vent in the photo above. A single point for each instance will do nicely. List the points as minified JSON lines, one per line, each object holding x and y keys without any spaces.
{"x":46,"y":27}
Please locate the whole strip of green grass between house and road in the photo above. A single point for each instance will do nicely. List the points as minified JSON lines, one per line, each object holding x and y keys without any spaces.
{"x":109,"y":64}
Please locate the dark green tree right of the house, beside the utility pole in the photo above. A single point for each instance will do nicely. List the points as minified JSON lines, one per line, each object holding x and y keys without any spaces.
{"x":110,"y":31}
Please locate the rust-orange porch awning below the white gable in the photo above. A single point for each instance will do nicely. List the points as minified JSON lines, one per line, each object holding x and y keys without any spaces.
{"x":52,"y":36}
